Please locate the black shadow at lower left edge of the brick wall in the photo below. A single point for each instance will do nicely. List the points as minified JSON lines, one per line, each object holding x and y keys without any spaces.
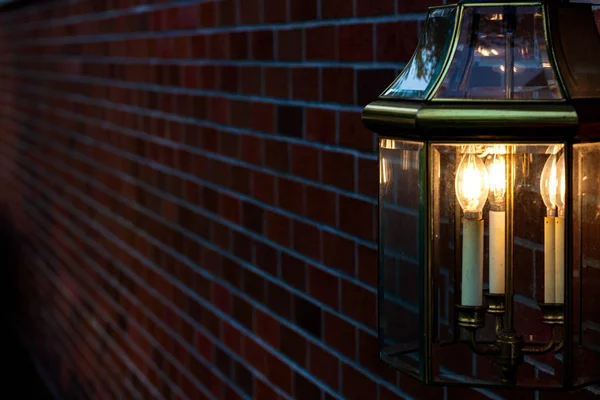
{"x":21,"y":377}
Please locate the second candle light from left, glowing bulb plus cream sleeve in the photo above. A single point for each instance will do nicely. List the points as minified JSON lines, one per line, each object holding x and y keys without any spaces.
{"x":496,"y":165}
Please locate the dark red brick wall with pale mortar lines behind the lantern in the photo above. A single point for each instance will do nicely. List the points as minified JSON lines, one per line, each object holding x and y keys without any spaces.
{"x":197,"y":196}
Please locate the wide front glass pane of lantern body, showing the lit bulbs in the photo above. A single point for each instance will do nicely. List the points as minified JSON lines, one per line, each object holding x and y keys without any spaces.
{"x":471,"y":247}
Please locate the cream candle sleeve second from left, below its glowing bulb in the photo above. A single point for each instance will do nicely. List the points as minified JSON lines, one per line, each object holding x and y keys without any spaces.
{"x":497,"y":253}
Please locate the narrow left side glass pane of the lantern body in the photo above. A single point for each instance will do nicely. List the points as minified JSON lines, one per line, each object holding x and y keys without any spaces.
{"x":400,"y":253}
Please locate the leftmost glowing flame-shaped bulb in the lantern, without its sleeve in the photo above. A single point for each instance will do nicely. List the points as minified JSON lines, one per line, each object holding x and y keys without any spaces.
{"x":472,"y":185}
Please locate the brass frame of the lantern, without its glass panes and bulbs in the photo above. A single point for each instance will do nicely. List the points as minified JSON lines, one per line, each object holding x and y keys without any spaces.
{"x":573,"y":119}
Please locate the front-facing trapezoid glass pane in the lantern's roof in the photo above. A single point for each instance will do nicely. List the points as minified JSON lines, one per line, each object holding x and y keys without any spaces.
{"x":501,"y":54}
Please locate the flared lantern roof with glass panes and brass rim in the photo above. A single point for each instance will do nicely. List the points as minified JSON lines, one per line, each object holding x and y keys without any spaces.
{"x":501,"y":69}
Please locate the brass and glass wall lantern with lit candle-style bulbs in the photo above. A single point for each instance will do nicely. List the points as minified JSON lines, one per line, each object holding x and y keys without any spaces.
{"x":489,"y":203}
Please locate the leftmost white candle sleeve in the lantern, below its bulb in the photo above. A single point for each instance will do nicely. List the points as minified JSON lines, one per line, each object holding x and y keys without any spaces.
{"x":472,"y":263}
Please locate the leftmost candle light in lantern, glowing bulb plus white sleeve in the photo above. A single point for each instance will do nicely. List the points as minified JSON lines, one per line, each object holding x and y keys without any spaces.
{"x":471,"y":191}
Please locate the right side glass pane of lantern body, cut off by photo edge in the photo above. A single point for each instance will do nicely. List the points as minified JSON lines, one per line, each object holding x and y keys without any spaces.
{"x":586,"y":262}
